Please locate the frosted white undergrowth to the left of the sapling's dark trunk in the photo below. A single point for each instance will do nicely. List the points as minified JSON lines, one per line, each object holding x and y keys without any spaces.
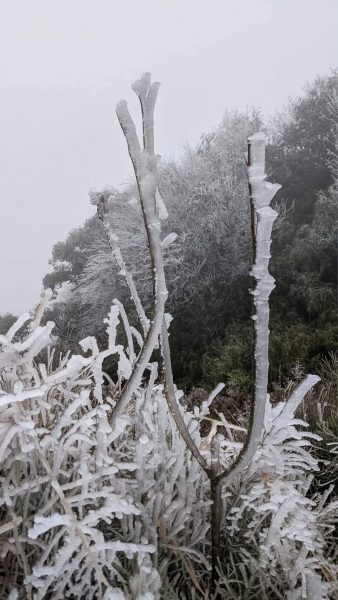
{"x":89,"y":506}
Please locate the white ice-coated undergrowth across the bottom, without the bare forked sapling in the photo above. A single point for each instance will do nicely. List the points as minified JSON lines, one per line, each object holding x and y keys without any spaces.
{"x":91,"y":510}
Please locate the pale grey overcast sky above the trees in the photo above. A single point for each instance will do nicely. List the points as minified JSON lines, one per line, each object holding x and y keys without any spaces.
{"x":65,"y":63}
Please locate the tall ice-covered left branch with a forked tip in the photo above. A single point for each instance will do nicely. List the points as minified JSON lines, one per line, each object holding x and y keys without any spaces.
{"x":153,"y":209}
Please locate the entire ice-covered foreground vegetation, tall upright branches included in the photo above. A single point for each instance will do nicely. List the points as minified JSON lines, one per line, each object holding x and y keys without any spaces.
{"x":108,"y":489}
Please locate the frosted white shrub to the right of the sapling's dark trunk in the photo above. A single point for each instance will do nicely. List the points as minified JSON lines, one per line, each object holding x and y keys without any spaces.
{"x":282,"y":530}
